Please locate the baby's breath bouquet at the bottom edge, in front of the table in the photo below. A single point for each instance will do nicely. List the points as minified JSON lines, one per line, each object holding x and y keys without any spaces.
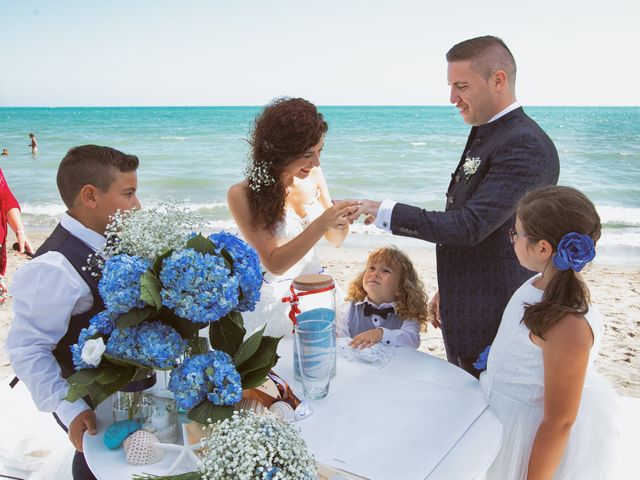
{"x":251,"y":447}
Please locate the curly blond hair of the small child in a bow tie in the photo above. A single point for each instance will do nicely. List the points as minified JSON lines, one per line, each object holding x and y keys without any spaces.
{"x":412,"y":301}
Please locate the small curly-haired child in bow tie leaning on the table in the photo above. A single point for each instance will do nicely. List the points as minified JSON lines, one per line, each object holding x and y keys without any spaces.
{"x":386,"y":303}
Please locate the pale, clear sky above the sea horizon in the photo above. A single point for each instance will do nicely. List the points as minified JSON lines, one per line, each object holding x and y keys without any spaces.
{"x":332,"y":52}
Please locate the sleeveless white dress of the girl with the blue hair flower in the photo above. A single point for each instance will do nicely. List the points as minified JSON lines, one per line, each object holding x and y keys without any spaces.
{"x":514,"y":386}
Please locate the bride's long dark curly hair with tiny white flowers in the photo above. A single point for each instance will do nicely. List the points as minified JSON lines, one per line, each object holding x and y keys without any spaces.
{"x":282,"y":133}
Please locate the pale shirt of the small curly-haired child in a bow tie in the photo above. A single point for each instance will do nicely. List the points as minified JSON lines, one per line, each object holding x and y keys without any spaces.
{"x":408,"y":335}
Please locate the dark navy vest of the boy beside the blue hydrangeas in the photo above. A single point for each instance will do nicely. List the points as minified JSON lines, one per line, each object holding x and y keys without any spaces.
{"x":76,"y":252}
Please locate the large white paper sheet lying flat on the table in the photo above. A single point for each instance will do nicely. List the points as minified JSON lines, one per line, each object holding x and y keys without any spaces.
{"x":429,"y":420}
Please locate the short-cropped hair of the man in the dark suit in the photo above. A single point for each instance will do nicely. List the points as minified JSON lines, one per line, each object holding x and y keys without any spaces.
{"x":487,"y":54}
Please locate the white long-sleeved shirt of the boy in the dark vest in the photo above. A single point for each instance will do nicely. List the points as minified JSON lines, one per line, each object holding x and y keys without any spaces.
{"x":47,"y":291}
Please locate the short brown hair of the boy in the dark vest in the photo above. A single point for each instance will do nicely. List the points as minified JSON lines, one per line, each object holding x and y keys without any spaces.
{"x":91,"y":164}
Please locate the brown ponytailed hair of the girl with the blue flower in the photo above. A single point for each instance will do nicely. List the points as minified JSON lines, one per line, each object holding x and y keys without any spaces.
{"x":549,"y":213}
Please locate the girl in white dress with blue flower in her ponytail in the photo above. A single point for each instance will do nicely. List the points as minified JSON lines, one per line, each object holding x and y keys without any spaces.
{"x":540,"y":380}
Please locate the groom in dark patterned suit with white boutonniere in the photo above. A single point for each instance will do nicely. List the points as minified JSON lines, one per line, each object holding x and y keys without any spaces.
{"x":506,"y":155}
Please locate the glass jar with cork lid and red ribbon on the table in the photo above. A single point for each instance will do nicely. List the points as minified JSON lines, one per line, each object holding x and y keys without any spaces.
{"x":313,"y":306}
